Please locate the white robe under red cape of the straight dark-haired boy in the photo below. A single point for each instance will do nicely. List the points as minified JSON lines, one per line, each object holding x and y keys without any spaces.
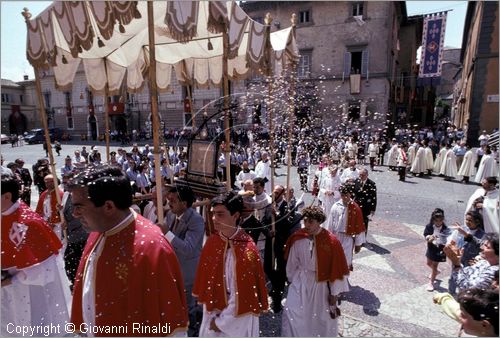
{"x":226,"y":320}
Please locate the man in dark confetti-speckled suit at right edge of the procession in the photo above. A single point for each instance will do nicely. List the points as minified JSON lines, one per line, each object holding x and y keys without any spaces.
{"x":365,"y":194}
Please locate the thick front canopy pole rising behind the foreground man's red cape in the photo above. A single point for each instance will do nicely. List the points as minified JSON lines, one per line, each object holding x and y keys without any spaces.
{"x":153,"y":92}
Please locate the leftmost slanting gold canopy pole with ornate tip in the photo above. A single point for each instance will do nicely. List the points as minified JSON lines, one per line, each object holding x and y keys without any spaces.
{"x":43,"y":115}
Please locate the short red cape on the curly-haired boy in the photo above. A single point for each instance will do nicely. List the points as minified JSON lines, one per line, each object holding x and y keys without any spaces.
{"x":330,"y":257}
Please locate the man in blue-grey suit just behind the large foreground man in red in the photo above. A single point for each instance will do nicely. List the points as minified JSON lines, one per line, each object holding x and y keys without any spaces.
{"x":184,"y":229}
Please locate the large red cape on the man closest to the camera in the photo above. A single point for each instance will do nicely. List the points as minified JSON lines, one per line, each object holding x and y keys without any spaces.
{"x":137,"y":280}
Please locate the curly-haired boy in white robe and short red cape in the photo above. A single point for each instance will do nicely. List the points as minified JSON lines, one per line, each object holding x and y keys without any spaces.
{"x":317,"y":270}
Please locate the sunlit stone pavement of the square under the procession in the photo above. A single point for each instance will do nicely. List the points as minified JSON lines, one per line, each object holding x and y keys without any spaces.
{"x":388,"y":296}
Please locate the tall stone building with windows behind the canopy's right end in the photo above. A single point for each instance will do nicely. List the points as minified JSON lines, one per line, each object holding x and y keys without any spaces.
{"x":352,"y":54}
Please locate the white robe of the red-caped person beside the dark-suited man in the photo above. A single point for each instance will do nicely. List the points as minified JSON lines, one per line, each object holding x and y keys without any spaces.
{"x":337,"y":222}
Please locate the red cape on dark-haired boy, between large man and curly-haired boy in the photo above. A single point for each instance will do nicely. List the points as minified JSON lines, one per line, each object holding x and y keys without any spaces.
{"x":210,"y":286}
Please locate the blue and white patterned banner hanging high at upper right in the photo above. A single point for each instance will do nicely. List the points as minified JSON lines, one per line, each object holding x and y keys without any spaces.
{"x":432,"y":45}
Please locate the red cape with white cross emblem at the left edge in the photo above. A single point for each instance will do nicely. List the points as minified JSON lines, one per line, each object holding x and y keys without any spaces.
{"x":27,"y":239}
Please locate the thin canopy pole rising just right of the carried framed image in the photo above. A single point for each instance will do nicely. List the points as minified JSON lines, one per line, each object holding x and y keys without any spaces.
{"x":227,"y":113}
